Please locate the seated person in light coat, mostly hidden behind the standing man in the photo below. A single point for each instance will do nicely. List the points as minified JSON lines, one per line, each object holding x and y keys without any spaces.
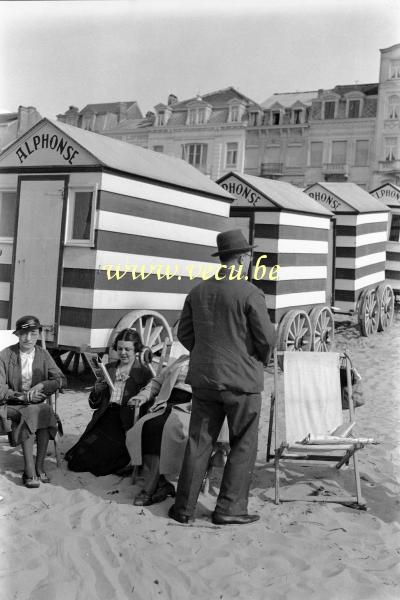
{"x":159,"y":438}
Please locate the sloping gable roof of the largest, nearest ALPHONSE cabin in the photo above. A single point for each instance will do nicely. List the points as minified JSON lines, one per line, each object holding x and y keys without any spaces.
{"x":134,"y":160}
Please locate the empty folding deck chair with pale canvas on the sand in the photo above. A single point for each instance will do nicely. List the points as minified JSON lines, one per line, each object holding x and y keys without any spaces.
{"x":313,"y":418}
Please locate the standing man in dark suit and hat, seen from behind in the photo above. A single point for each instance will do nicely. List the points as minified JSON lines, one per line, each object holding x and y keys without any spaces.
{"x":226,"y":328}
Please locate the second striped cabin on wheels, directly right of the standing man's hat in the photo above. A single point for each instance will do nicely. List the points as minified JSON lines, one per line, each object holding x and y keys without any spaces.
{"x":293,"y":231}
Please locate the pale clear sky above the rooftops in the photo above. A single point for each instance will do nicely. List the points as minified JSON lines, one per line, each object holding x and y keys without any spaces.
{"x":57,"y":54}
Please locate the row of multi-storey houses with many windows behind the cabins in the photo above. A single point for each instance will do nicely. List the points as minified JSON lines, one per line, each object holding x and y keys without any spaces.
{"x":348,"y":133}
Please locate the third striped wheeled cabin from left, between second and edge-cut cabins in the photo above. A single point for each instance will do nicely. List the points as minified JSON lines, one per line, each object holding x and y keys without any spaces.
{"x":360,"y":253}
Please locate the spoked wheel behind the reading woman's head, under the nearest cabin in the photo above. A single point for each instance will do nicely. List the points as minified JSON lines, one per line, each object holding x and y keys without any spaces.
{"x":152,"y":327}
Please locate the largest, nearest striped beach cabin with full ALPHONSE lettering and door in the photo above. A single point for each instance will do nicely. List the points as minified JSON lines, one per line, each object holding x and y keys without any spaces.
{"x":92,"y":230}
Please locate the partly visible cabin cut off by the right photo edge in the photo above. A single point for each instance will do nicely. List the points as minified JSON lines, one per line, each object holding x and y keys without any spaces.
{"x":389,"y":194}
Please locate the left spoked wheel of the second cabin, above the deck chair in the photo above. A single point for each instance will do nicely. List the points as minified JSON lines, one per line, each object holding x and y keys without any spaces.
{"x":295,"y":333}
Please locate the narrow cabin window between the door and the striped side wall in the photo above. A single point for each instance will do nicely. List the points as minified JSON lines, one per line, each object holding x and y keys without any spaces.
{"x":81,"y":216}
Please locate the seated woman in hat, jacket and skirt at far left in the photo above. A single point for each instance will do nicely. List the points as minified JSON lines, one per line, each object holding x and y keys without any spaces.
{"x":28,"y":375}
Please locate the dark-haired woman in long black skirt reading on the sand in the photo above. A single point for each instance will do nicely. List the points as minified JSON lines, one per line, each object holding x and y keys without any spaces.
{"x":101,"y":449}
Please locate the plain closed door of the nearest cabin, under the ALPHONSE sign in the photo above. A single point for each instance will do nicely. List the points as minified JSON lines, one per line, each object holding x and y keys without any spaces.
{"x":37,"y":259}
